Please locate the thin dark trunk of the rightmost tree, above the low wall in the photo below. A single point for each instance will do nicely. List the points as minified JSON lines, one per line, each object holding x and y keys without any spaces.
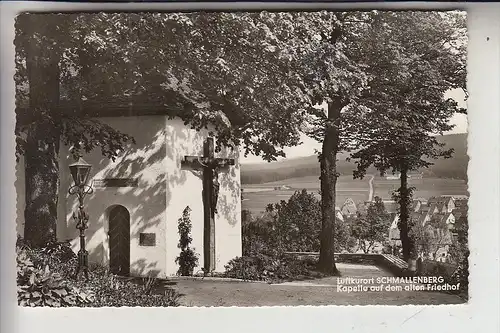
{"x":404,"y":215}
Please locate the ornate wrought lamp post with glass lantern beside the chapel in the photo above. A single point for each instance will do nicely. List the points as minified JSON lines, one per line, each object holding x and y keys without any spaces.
{"x":80,"y":170}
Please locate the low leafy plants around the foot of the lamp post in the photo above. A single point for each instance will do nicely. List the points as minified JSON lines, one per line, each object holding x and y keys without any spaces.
{"x":44,"y":279}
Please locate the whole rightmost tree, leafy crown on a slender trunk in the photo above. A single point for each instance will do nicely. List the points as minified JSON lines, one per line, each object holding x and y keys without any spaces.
{"x":420,"y":56}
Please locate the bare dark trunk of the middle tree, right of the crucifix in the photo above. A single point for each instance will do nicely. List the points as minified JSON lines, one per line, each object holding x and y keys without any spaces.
{"x":328,"y":165}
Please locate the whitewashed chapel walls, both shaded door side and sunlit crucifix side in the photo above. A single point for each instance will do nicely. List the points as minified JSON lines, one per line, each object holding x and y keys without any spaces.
{"x":153,"y":188}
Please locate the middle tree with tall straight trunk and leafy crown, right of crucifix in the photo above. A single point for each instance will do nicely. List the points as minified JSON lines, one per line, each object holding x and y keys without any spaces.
{"x":325,"y":48}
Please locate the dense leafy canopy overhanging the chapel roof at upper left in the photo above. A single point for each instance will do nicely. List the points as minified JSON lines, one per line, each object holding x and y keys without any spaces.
{"x":211,"y":69}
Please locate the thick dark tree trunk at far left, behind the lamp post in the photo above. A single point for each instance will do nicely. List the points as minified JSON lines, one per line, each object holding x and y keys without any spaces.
{"x":43,"y":136}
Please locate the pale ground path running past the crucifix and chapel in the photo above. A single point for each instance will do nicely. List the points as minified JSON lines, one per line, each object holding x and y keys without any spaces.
{"x":312,"y":292}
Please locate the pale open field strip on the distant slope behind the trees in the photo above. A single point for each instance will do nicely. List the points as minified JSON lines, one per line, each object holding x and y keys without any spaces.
{"x":258,"y":196}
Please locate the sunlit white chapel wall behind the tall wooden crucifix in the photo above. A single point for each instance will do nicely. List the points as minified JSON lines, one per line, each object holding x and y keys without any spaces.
{"x":184,"y":188}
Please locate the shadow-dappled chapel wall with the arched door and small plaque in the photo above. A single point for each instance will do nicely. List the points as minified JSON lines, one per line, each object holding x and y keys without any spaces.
{"x":145,"y":162}
